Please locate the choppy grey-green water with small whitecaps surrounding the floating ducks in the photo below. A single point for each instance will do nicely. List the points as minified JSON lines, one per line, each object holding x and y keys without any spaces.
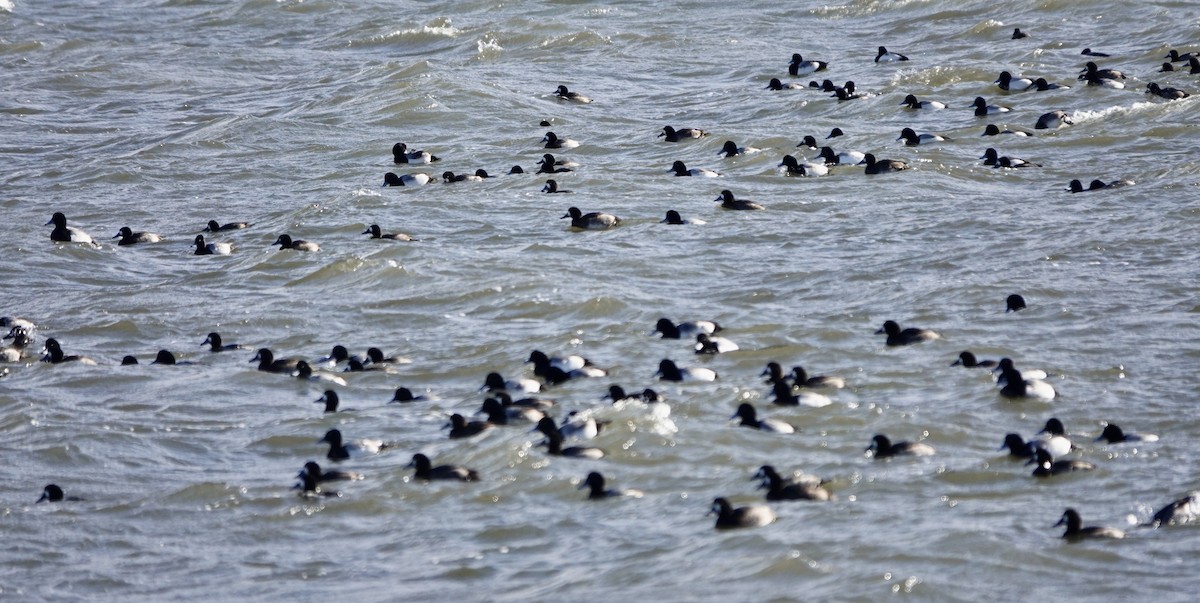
{"x":165,"y":115}
